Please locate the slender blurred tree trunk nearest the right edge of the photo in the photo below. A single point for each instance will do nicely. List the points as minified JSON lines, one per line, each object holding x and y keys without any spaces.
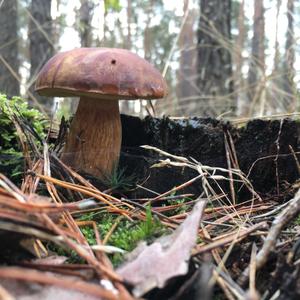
{"x":289,"y":60}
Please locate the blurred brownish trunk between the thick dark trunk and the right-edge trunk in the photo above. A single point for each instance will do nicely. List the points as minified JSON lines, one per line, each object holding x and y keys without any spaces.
{"x":257,"y":61}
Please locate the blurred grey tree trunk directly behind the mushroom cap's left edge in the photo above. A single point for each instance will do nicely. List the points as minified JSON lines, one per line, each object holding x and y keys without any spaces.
{"x":41,"y":45}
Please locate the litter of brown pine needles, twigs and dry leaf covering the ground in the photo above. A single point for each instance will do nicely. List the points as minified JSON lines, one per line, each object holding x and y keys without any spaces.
{"x":255,"y":228}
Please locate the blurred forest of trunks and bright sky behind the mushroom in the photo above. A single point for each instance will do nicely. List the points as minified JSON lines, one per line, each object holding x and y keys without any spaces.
{"x":229,"y":58}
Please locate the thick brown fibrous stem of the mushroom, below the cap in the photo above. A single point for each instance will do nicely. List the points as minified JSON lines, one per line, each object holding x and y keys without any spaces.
{"x":94,"y":141}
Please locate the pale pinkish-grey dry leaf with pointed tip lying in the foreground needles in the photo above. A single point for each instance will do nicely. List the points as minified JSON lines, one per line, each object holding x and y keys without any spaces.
{"x":166,"y":258}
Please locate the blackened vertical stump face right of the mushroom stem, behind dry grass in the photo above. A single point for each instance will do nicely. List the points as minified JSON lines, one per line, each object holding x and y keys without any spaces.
{"x":264,"y":150}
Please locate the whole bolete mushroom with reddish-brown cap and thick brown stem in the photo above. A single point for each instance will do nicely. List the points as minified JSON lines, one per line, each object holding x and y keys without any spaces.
{"x":101,"y":77}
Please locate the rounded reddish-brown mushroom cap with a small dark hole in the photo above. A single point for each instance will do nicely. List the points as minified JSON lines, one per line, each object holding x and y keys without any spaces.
{"x":102,"y":73}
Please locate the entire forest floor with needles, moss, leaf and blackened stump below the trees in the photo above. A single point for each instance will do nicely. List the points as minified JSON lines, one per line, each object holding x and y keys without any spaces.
{"x":64,"y":233}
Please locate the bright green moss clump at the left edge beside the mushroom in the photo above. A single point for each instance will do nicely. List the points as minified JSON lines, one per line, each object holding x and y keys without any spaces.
{"x":11,"y":155}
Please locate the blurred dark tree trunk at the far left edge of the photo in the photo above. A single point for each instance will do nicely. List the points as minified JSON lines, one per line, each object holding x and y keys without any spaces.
{"x":9,"y":61}
